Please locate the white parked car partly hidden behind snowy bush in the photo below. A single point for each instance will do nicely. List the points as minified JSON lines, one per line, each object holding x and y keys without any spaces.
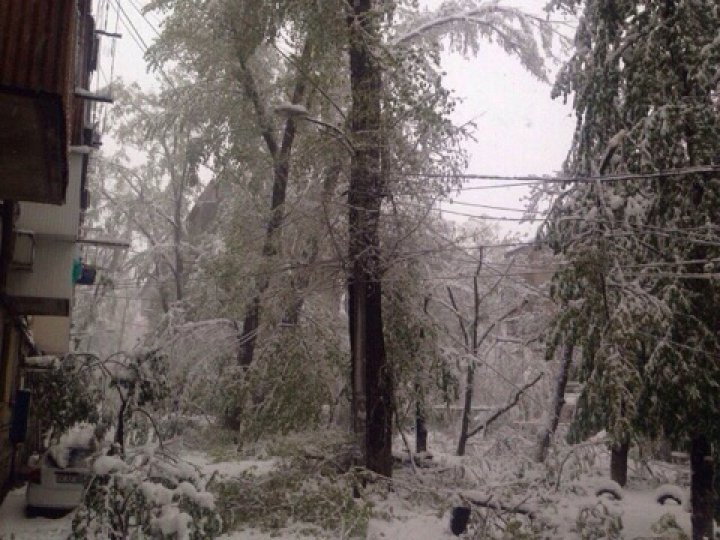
{"x":52,"y":488}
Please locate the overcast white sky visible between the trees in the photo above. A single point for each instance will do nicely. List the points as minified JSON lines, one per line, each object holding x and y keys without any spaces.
{"x":521,"y":131}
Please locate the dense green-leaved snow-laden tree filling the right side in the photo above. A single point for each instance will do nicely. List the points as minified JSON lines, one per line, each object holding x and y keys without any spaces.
{"x":638,"y":289}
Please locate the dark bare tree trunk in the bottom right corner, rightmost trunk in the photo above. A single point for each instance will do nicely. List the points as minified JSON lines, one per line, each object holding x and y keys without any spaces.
{"x":701,"y":491}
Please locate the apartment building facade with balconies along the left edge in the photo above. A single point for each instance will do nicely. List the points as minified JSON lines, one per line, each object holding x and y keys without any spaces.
{"x":48,"y":52}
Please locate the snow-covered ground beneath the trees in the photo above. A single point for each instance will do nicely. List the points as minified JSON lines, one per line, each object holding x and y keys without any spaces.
{"x":398,"y":515}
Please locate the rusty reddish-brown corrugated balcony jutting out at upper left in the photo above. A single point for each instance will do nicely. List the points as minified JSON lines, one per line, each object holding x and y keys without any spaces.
{"x":37,"y":76}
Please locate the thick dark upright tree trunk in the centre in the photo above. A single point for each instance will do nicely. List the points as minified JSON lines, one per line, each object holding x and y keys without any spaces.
{"x":371,"y":378}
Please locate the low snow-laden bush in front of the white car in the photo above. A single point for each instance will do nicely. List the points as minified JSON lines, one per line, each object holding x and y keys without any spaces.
{"x":148,"y":495}
